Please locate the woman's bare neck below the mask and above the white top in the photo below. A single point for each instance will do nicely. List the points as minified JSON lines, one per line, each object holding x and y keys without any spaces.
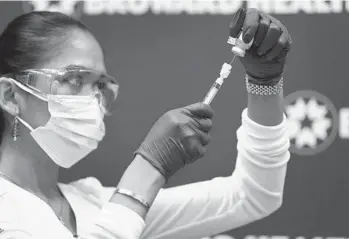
{"x":28,"y":166}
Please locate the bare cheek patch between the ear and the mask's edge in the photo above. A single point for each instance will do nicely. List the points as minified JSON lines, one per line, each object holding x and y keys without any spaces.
{"x":36,"y":112}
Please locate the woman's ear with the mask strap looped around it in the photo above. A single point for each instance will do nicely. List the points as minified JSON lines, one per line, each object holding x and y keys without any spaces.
{"x":8,"y":91}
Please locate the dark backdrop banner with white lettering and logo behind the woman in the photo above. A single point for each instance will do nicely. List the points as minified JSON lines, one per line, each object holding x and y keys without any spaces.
{"x":166,"y":54}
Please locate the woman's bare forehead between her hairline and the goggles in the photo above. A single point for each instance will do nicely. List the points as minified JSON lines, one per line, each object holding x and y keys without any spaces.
{"x":81,"y":49}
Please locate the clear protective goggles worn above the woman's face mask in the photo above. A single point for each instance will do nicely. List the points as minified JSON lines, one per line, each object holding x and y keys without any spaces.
{"x":72,"y":81}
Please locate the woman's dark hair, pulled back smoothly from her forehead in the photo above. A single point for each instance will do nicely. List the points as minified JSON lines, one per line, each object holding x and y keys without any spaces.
{"x":29,"y":40}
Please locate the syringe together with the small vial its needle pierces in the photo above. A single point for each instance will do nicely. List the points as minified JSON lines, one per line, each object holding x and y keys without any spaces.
{"x":239,"y":49}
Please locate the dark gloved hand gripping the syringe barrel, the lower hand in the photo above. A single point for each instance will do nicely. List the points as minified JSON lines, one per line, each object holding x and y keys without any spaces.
{"x":178,"y":138}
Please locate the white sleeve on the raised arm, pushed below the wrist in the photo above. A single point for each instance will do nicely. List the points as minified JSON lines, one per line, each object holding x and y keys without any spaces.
{"x":253,"y":191}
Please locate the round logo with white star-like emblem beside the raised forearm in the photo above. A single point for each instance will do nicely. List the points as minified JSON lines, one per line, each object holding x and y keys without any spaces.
{"x":312,"y":122}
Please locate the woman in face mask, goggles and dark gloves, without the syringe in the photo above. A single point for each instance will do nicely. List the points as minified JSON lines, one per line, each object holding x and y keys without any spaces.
{"x":54,"y":94}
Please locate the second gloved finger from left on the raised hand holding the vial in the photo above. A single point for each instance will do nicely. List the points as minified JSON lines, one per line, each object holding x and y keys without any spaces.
{"x":250,"y":26}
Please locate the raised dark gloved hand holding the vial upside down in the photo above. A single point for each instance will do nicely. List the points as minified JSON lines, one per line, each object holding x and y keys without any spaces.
{"x":264,"y":62}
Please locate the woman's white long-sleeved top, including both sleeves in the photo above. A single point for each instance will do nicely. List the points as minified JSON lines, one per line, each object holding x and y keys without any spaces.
{"x":192,"y":211}
